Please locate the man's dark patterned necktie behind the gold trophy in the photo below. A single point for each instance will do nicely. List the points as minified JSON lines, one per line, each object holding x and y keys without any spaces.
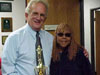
{"x":38,"y":43}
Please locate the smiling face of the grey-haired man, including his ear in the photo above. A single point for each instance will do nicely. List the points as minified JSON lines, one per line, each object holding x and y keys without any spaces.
{"x":37,"y":16}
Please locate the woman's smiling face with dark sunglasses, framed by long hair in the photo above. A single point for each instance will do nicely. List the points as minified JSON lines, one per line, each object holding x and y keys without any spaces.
{"x":64,"y":38}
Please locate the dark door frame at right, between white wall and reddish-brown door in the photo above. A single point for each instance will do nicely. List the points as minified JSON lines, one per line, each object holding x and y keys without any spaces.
{"x":92,"y":19}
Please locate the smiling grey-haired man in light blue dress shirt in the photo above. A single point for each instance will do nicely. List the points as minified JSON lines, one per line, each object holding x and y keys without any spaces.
{"x":19,"y":53}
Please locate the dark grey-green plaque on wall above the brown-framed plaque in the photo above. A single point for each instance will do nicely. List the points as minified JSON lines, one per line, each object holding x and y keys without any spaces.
{"x":5,"y":7}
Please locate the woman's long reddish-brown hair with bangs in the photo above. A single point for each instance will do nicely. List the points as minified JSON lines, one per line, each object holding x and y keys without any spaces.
{"x":73,"y":47}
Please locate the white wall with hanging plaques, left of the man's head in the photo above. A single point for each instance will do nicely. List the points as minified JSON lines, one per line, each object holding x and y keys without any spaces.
{"x":18,"y":17}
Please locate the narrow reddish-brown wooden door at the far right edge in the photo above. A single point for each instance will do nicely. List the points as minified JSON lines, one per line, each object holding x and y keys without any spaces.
{"x":98,"y":42}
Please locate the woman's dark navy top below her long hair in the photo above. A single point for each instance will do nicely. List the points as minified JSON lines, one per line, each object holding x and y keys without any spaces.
{"x":79,"y":66}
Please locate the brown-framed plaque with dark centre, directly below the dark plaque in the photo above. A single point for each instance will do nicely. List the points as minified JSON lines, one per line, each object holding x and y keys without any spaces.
{"x":6,"y":24}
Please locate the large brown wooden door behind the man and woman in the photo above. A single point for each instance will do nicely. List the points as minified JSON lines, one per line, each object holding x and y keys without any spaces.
{"x":65,"y":11}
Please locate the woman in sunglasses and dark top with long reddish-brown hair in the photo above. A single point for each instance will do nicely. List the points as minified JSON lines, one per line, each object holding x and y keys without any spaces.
{"x":67,"y":56}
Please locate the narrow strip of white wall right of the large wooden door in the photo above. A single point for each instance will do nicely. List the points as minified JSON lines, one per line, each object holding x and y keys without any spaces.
{"x":88,"y":4}
